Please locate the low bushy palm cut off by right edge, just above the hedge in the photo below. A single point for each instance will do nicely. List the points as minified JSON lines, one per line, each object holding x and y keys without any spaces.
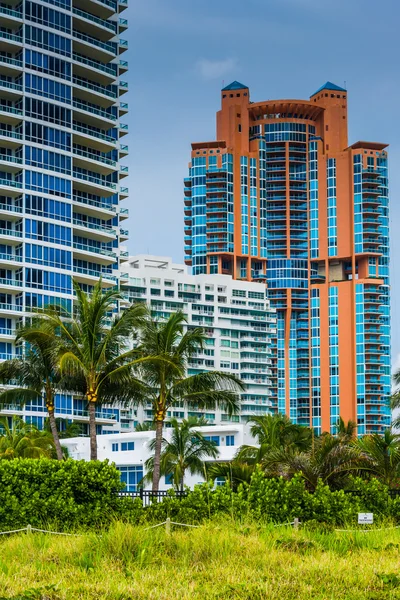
{"x":382,"y":454}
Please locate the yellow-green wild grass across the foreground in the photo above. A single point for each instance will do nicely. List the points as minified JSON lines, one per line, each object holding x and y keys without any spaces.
{"x":218,"y":560}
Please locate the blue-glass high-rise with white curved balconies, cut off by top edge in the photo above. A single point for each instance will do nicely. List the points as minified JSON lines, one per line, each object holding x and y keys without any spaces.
{"x":60,"y":151}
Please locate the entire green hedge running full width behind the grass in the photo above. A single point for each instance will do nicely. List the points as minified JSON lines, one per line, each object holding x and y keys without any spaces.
{"x":77,"y":494}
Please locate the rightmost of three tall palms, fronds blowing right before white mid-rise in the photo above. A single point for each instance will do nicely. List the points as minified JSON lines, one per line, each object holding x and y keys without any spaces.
{"x":168,"y":383}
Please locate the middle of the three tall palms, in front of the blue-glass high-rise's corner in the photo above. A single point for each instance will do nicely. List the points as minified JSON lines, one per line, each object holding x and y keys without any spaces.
{"x":95,"y":350}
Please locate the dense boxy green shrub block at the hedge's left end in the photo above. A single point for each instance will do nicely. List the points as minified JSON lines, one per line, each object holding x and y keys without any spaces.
{"x":69,"y":493}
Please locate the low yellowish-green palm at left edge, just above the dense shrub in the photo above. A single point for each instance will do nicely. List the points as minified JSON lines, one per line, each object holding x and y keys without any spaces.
{"x":23,"y":440}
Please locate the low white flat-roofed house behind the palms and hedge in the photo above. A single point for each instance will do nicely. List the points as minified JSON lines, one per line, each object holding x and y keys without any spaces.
{"x":129,"y":451}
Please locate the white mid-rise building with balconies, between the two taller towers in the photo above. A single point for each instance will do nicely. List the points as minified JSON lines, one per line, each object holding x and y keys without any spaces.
{"x":239,"y":325}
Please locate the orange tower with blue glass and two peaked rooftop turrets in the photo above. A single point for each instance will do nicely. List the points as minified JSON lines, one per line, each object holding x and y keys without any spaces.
{"x":281,"y":197}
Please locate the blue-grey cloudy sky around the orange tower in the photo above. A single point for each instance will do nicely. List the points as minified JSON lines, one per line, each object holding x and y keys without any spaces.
{"x":182,"y":52}
